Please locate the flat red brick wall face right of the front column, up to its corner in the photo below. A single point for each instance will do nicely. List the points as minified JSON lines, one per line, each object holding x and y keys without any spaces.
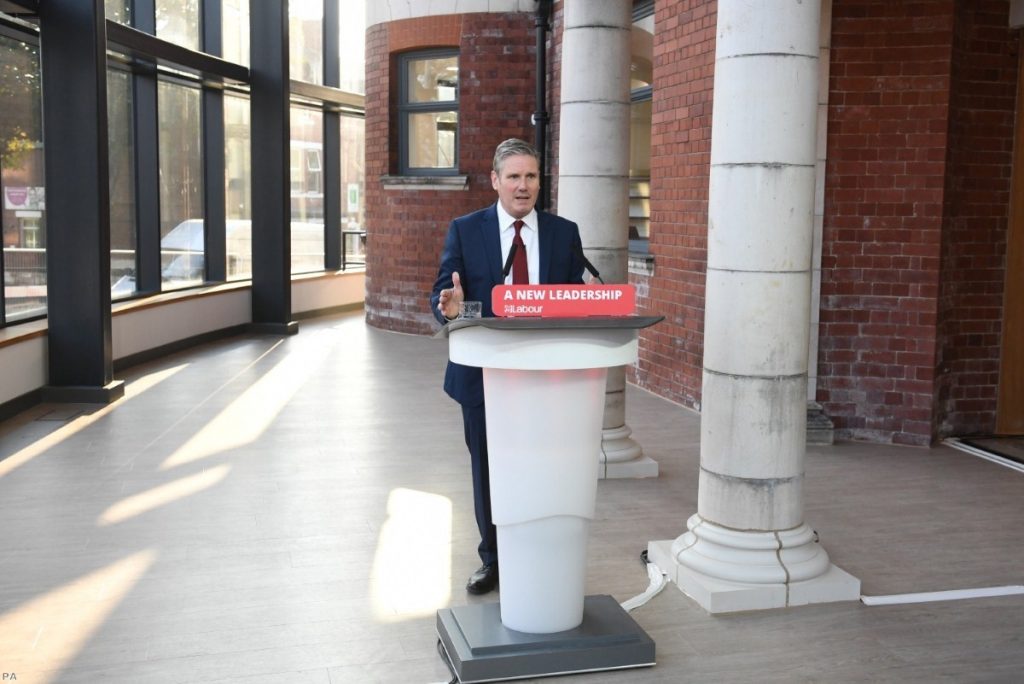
{"x":888,"y":121}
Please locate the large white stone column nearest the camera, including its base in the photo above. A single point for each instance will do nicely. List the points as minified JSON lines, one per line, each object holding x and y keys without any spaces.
{"x":748,"y":546}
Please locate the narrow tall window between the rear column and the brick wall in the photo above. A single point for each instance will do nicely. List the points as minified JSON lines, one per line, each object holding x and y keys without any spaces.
{"x":642,"y":80}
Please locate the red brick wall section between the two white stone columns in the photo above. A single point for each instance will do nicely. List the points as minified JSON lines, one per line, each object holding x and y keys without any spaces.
{"x":671,"y":354}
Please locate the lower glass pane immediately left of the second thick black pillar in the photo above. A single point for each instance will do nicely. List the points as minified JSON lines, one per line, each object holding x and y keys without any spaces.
{"x":238,"y":188}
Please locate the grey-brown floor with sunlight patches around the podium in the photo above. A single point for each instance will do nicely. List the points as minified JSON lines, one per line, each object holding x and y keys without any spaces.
{"x":296,"y":510}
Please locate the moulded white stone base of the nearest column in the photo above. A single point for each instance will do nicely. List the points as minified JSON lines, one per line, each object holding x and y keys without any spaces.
{"x":728,"y":571}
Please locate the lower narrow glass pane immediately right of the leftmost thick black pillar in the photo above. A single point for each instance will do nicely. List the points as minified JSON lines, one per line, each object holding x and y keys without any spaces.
{"x":121,"y":147}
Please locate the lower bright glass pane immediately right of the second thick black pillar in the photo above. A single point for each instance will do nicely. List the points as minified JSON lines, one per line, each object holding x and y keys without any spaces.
{"x":308,"y":190}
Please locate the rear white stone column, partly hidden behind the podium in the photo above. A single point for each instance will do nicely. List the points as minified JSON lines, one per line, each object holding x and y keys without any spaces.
{"x":593,"y":179}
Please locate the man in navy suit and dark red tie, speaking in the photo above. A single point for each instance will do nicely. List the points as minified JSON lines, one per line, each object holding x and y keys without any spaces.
{"x":477,"y":247}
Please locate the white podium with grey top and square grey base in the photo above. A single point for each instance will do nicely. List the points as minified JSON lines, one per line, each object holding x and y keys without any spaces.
{"x":544,"y":384}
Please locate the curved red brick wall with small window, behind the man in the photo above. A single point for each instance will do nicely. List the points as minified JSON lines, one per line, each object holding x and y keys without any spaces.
{"x":406,"y":228}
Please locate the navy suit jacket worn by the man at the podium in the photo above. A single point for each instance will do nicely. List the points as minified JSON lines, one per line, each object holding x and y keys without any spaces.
{"x":474,"y":248}
